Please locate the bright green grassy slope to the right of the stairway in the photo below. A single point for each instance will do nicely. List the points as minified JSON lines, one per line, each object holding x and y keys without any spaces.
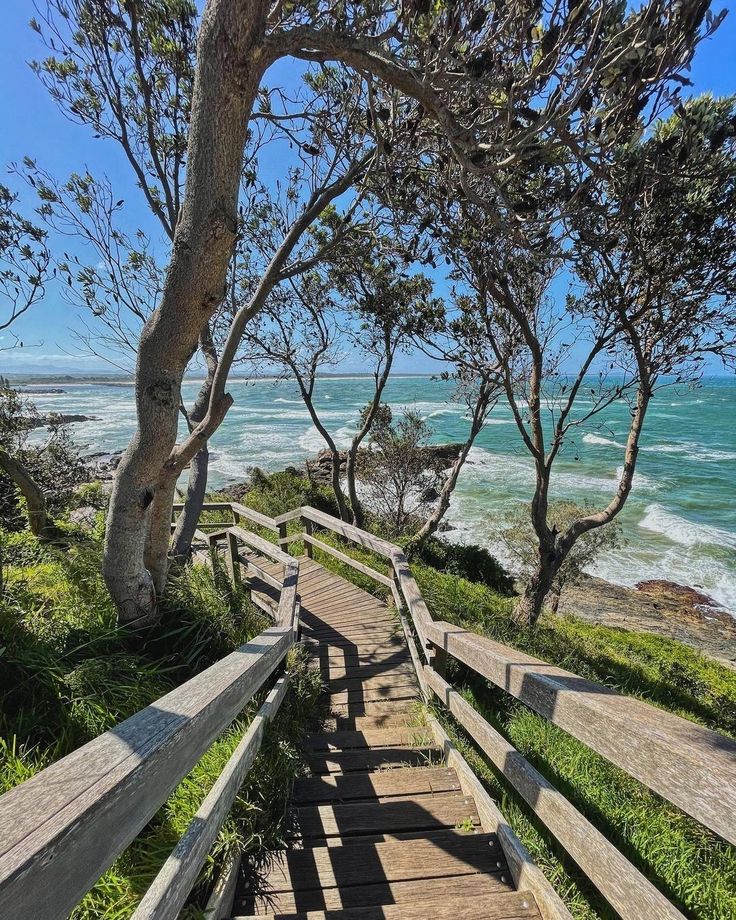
{"x":693,"y":867}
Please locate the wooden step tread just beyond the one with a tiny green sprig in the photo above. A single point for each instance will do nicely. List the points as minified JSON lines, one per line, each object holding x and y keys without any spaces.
{"x":383,"y":785}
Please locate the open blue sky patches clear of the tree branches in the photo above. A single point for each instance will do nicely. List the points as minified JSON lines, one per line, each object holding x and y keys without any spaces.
{"x":31,"y":125}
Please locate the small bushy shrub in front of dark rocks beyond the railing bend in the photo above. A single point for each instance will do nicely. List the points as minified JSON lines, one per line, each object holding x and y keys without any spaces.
{"x":400,"y":475}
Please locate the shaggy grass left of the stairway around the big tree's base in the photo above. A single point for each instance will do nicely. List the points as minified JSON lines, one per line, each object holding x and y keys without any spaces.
{"x":68,"y":673}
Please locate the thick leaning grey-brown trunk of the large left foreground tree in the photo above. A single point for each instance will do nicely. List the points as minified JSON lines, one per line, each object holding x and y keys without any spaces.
{"x":229,"y":72}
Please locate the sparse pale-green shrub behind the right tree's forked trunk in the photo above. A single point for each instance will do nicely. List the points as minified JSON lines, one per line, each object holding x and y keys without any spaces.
{"x":523,"y":543}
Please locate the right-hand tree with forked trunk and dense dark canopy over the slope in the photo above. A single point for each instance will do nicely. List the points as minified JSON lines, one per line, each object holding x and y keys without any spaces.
{"x":650,"y":274}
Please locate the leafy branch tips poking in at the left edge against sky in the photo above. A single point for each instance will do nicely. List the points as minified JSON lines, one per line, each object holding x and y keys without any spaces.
{"x":24,"y":260}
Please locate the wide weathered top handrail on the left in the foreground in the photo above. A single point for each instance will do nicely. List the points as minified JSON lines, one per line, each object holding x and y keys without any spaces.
{"x":65,"y":826}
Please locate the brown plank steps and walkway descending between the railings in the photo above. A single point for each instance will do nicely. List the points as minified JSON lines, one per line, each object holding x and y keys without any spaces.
{"x":382,"y":828}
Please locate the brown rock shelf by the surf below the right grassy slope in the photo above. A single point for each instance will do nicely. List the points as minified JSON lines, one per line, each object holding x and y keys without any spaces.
{"x":660,"y":607}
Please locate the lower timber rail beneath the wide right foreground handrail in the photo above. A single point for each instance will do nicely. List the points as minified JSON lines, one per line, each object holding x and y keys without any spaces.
{"x":622,"y":885}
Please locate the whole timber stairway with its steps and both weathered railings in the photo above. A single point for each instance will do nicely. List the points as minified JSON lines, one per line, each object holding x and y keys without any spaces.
{"x":64,"y":827}
